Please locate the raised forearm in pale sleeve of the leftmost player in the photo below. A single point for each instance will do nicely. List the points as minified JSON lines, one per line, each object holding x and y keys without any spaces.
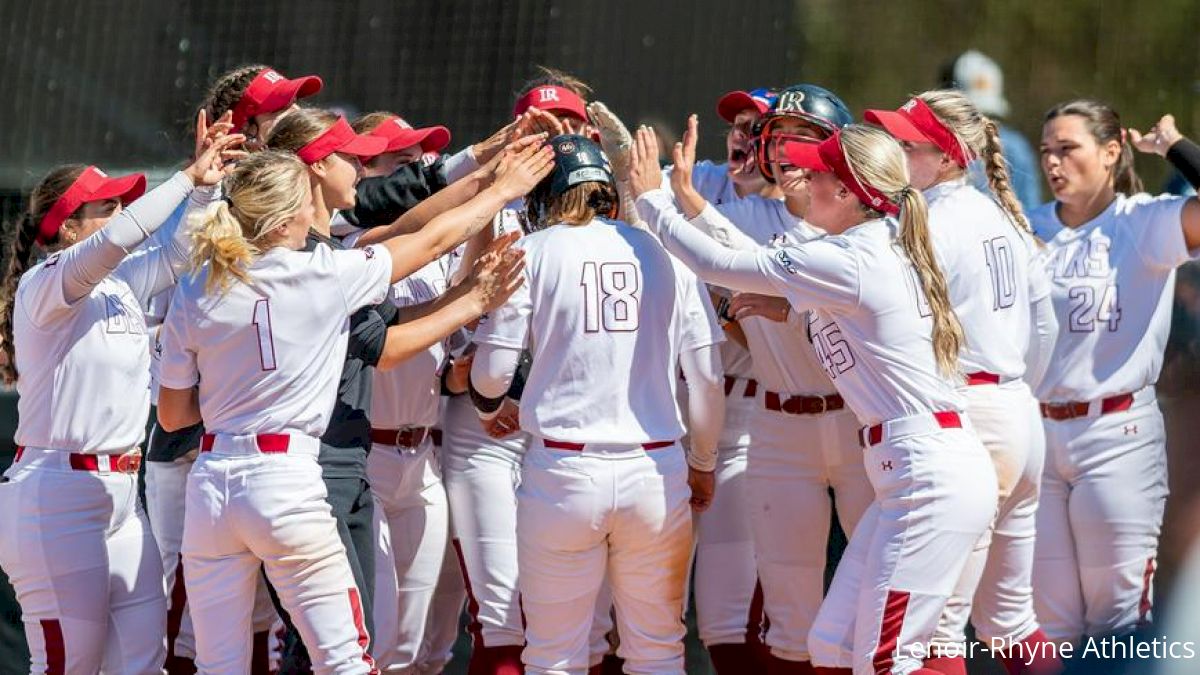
{"x":94,"y":259}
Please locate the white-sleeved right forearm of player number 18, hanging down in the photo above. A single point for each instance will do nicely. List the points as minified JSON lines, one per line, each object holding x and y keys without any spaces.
{"x":706,"y":404}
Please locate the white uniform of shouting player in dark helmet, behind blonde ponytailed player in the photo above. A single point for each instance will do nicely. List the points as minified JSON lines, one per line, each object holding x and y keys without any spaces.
{"x":789,"y":482}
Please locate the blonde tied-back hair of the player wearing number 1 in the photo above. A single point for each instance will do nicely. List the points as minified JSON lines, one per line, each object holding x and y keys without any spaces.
{"x":265,"y":193}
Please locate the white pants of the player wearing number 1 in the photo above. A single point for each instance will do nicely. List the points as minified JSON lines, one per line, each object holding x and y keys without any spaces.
{"x":248,"y":510}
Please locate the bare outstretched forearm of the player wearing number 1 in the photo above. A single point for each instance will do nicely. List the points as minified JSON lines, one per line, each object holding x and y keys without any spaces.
{"x":413,"y":252}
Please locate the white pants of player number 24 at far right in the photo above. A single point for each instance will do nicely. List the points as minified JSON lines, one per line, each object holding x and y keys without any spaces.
{"x":1103,"y":494}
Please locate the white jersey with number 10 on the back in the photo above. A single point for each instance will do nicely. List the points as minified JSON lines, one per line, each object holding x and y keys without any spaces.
{"x":993,"y":277}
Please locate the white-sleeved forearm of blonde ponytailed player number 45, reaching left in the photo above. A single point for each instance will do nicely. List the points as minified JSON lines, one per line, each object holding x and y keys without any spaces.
{"x":712,"y":262}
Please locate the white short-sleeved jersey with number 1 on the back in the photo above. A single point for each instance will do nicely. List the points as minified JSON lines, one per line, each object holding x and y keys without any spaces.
{"x":268,"y":357}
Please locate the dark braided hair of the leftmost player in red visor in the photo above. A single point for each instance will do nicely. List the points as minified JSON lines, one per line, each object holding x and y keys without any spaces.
{"x":22,"y":250}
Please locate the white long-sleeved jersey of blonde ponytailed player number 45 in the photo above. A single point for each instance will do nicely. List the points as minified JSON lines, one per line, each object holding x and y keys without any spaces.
{"x":871,"y":324}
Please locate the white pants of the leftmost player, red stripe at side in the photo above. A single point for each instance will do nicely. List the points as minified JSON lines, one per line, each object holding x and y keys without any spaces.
{"x":79,"y":551}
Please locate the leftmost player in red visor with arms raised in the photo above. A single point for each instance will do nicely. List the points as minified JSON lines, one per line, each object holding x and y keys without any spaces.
{"x":74,"y":539}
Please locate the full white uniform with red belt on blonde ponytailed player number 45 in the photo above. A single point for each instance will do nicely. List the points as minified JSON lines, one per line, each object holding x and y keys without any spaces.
{"x":934,"y":486}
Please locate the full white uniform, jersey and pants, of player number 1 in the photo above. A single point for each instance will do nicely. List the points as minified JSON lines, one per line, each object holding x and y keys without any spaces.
{"x":267,"y":360}
